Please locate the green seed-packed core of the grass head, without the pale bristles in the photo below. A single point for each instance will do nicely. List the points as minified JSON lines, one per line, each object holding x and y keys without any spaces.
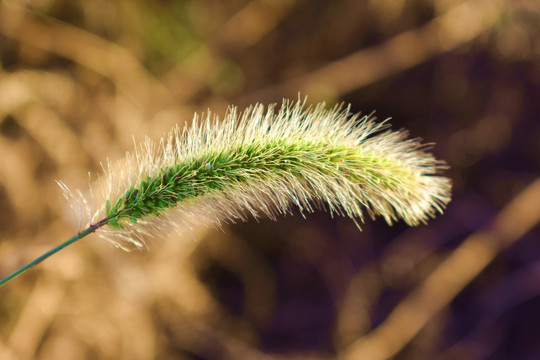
{"x":240,"y":165}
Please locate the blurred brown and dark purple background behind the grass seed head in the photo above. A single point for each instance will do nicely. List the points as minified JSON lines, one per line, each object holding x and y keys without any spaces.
{"x":79,"y":80}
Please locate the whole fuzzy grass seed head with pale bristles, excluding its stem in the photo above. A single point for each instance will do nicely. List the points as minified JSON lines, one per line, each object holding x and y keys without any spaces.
{"x":261,"y":163}
